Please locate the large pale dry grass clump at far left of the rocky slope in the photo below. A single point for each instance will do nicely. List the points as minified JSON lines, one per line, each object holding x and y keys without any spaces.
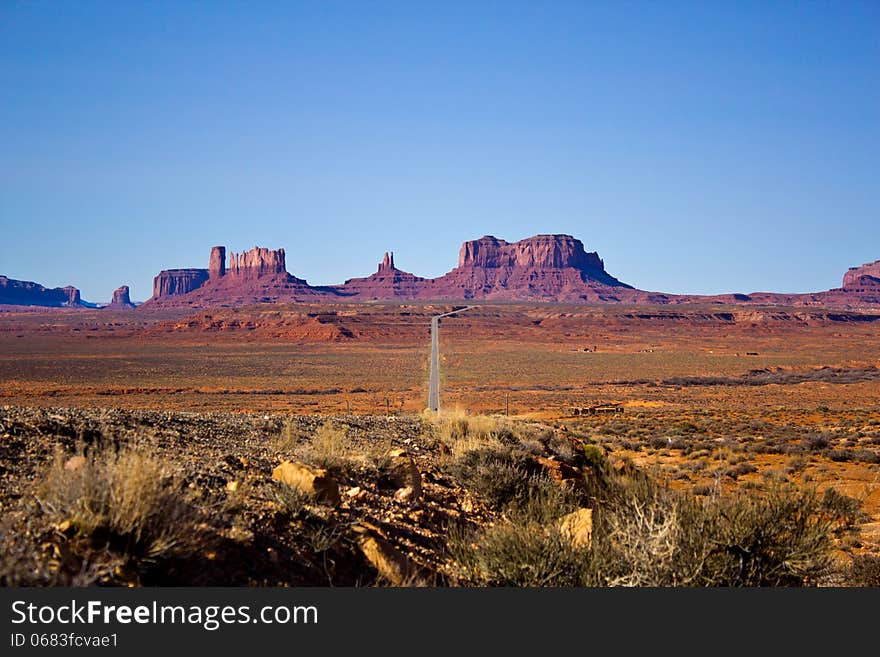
{"x":123,"y":499}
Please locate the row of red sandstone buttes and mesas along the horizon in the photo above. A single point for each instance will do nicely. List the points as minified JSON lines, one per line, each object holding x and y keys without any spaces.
{"x":543,"y":268}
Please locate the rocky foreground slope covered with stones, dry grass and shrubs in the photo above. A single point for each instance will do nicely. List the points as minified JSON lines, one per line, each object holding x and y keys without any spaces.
{"x":151,"y":498}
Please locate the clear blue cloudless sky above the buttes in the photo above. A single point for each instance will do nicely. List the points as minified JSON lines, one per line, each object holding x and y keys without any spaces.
{"x":700,"y":147}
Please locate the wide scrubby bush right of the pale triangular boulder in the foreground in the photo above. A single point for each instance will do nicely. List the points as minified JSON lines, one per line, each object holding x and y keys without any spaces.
{"x":646,"y":535}
